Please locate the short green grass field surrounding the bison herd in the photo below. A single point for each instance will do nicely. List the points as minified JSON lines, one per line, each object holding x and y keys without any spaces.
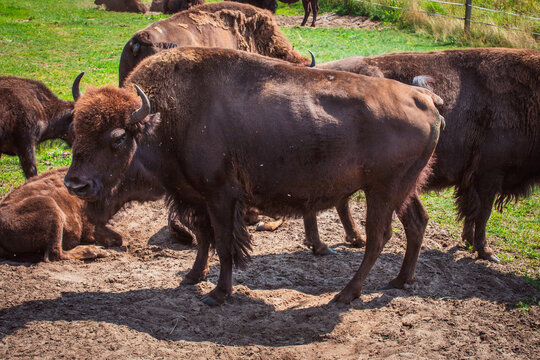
{"x":53,"y":40}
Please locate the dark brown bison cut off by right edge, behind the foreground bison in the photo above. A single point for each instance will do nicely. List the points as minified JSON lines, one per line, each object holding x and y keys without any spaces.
{"x":490,"y":150}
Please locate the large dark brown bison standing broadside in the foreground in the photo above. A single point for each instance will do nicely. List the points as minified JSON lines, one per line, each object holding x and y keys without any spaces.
{"x":233,"y":133}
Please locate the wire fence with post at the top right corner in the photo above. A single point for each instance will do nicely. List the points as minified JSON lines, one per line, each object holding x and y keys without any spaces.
{"x":467,"y":18}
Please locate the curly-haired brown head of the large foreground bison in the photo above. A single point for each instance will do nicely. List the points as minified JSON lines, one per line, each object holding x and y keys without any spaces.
{"x":108,"y":123}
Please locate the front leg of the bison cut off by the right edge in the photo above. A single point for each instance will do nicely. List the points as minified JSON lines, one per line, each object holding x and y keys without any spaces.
{"x":487,"y":196}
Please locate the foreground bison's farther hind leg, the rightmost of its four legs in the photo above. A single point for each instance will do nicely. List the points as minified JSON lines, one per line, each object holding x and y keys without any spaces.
{"x":414,"y":219}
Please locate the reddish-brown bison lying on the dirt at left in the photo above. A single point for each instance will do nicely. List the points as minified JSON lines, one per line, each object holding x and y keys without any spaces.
{"x":41,"y":217}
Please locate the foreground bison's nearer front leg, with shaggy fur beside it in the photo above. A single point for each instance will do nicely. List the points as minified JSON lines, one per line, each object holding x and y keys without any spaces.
{"x":222,"y":217}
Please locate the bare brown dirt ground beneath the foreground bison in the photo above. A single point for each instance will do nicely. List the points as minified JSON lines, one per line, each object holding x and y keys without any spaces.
{"x":130,"y":304}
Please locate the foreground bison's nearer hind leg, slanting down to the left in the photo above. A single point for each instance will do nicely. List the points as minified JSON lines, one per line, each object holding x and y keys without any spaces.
{"x":379,"y":231}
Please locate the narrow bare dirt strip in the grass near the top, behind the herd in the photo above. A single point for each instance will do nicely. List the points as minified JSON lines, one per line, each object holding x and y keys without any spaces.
{"x":330,"y":21}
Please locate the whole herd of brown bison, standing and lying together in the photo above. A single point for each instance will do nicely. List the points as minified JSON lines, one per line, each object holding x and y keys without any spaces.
{"x":217,"y":112}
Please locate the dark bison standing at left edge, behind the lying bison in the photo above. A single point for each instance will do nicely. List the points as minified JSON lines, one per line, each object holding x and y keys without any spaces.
{"x":29,"y":114}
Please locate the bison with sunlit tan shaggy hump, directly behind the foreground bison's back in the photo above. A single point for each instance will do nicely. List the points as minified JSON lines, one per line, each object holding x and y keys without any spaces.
{"x":224,"y":24}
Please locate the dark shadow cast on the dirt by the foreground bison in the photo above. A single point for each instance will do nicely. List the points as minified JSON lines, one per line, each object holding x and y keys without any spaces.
{"x":178,"y":314}
